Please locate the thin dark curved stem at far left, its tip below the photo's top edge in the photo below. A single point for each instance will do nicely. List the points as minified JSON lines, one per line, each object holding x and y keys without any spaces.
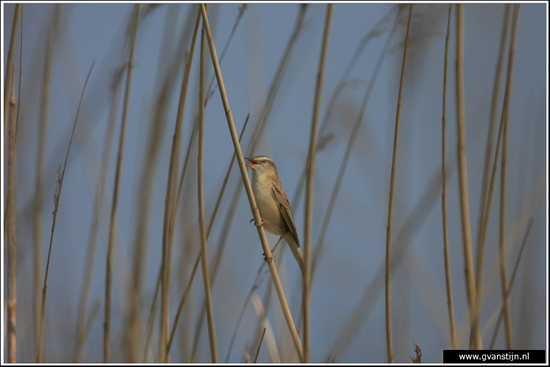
{"x":57,"y":196}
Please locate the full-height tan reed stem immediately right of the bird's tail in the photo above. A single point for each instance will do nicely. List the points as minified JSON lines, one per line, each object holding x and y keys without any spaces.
{"x":309,"y":184}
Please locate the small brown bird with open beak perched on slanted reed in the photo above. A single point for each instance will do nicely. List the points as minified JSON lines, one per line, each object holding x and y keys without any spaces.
{"x":272,"y":202}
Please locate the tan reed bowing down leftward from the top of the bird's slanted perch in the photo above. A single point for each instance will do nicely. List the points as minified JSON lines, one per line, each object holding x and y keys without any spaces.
{"x":172,"y":176}
